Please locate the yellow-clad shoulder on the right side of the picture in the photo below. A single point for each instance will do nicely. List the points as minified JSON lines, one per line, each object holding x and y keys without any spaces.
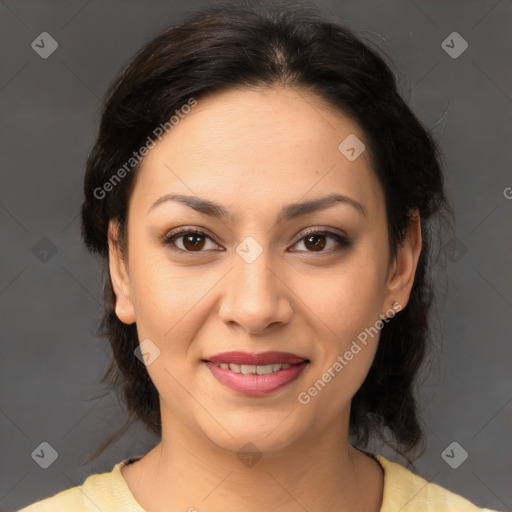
{"x":408,"y":492}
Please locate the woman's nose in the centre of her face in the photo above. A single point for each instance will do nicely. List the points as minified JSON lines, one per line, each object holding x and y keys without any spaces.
{"x":256,"y":297}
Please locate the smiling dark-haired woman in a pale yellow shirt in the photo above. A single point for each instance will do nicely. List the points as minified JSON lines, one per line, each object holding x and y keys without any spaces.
{"x":263,"y":200}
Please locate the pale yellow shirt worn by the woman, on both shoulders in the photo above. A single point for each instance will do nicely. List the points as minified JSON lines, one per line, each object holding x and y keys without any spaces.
{"x":404,"y":491}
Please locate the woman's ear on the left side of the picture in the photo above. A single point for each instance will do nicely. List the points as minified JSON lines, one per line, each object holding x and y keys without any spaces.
{"x":119,"y":276}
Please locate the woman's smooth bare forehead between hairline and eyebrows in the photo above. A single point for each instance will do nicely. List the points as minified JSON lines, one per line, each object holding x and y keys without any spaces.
{"x":259,"y":148}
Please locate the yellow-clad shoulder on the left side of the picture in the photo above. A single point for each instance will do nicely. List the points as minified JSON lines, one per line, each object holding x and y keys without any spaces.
{"x":108,"y":491}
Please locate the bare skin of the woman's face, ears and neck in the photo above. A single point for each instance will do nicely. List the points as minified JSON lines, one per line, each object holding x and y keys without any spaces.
{"x":254,"y":152}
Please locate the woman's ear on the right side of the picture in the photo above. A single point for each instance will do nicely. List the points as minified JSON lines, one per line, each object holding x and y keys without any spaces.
{"x":403,"y":268}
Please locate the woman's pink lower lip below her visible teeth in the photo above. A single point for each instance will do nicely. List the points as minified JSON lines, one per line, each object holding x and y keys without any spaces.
{"x":256,"y":385}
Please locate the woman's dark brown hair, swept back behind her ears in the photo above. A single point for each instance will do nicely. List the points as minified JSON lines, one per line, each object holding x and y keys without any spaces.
{"x":228,"y":46}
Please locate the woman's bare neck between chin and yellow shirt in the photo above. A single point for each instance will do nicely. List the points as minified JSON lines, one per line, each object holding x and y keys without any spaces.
{"x":319,"y":472}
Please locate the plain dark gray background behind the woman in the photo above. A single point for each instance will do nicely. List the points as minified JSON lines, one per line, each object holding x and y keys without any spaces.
{"x":51,"y":362}
